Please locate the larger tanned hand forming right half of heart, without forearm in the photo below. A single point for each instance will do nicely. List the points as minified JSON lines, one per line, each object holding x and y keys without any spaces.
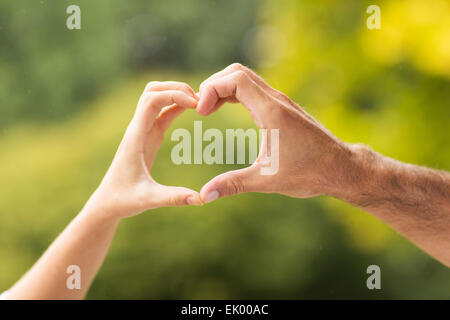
{"x":310,"y":157}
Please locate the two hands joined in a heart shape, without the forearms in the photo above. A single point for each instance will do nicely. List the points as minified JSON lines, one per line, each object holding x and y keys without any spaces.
{"x":307,"y":151}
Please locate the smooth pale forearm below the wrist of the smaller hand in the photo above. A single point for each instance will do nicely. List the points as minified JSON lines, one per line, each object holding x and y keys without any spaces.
{"x":83,"y":243}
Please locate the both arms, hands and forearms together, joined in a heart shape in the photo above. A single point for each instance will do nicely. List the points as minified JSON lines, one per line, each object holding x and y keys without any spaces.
{"x":413,"y":200}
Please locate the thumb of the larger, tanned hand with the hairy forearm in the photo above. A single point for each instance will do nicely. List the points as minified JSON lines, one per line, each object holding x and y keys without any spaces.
{"x":230,"y":183}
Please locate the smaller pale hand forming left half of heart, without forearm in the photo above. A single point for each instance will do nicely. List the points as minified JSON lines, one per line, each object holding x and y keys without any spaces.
{"x":128,"y":188}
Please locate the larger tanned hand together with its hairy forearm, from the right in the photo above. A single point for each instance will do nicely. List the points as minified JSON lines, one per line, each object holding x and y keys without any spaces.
{"x":413,"y":200}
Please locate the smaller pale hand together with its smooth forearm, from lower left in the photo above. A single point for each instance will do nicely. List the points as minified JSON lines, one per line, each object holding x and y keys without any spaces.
{"x":126,"y":190}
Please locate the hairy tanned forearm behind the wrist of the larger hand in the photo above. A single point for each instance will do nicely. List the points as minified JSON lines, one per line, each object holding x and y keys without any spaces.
{"x":413,"y":200}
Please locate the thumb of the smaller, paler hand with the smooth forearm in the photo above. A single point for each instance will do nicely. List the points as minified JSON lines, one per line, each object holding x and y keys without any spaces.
{"x":169,"y":196}
